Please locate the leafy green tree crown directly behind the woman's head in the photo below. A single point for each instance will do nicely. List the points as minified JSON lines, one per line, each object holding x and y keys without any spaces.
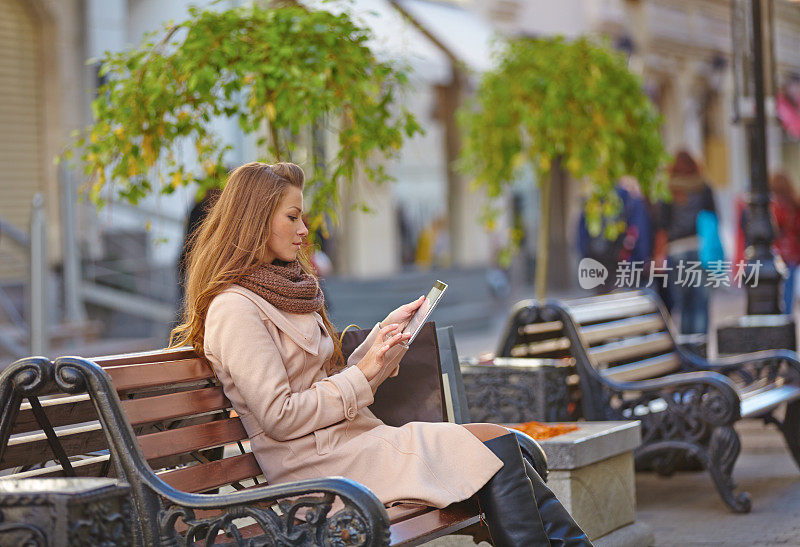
{"x":279,"y":71}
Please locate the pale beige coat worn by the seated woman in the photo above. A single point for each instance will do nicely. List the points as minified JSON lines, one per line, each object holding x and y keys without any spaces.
{"x":303,"y":423}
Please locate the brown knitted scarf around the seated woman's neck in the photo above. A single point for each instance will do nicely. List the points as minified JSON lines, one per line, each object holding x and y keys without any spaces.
{"x":287,"y":287}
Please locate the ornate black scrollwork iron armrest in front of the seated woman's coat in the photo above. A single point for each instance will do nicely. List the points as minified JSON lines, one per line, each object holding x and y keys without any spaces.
{"x":364,"y":519}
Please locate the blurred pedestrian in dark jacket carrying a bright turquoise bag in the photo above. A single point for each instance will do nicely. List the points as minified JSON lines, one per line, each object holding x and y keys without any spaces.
{"x":677,"y":240}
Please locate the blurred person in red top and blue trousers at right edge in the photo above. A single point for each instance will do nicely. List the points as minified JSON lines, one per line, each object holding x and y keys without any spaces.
{"x":786,"y":243}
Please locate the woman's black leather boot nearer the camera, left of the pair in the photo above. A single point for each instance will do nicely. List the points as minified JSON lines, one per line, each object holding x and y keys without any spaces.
{"x":508,"y":500}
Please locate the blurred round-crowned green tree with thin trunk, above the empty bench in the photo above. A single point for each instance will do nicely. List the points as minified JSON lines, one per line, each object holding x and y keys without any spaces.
{"x":573,"y":104}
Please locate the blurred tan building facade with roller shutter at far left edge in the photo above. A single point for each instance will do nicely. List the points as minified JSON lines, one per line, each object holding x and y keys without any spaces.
{"x":41,"y":100}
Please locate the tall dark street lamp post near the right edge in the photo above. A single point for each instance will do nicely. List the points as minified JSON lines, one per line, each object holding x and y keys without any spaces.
{"x":749,"y":37}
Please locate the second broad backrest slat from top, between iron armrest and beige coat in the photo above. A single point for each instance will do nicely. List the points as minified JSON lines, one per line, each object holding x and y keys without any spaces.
{"x":175,"y":405}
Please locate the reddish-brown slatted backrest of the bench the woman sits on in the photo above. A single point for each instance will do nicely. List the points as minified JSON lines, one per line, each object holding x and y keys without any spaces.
{"x":177,"y":410}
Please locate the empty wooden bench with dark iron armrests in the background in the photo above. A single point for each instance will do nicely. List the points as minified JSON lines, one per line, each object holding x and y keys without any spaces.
{"x":625,"y":353}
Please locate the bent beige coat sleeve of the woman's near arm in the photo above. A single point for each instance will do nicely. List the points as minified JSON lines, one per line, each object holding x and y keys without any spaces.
{"x":237,"y":336}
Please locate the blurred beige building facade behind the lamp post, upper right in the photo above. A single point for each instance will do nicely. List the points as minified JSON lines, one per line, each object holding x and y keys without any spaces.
{"x":682,"y":49}
